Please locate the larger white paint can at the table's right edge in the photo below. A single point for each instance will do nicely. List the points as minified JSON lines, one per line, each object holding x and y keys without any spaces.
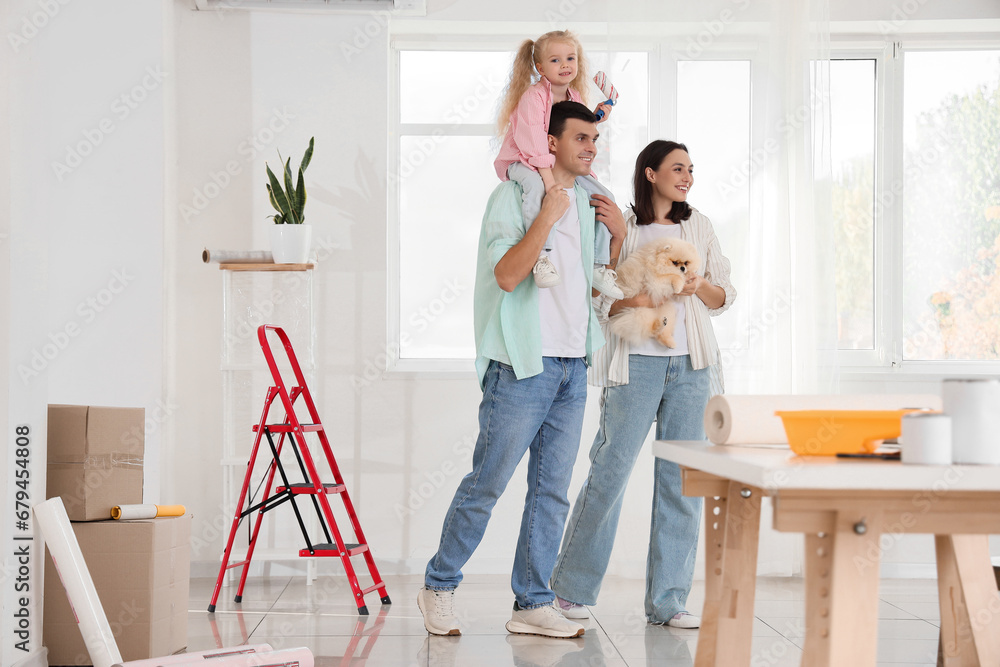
{"x":974,"y":408}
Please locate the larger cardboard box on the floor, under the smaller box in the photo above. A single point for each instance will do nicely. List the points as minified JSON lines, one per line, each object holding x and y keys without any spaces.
{"x":141,"y":570}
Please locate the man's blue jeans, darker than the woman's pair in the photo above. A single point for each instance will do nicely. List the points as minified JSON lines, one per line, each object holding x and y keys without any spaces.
{"x":542,"y":415}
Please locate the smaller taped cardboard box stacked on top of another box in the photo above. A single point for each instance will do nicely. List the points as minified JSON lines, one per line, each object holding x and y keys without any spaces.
{"x":95,"y":458}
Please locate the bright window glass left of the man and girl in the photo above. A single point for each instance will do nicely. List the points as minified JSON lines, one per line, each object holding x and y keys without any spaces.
{"x":443,"y":176}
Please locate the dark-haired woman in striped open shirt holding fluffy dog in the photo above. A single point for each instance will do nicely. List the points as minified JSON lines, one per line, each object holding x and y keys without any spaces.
{"x":647,"y":382}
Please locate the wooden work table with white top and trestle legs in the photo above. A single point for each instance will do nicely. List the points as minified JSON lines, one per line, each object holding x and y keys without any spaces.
{"x":850,"y":511}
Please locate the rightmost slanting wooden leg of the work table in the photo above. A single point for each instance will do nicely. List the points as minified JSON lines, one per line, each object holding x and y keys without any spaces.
{"x":970,"y":605}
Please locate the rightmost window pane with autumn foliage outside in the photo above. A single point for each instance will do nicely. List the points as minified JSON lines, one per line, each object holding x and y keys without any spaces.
{"x":951,"y":230}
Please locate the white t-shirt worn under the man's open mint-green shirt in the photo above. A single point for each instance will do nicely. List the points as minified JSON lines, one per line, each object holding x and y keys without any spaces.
{"x":564,"y":309}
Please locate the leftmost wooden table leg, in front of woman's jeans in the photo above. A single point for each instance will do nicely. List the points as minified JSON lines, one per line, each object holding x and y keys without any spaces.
{"x":727,"y":620}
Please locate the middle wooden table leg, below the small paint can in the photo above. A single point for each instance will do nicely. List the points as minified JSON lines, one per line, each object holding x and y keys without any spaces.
{"x":842,"y":575}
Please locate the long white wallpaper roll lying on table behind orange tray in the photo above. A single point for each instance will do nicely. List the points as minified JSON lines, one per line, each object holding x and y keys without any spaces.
{"x":750,"y":420}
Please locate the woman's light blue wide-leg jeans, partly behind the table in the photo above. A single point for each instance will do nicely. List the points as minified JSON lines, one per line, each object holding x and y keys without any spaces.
{"x":671,"y":391}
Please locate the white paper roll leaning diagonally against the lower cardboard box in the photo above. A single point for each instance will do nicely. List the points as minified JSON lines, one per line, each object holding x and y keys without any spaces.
{"x":73,"y":572}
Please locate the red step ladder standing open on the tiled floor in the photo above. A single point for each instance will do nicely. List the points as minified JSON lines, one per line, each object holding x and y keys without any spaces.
{"x":291,"y":430}
